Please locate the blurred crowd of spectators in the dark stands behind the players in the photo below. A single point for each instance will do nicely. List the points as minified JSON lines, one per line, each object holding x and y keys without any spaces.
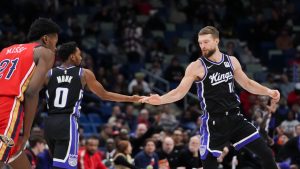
{"x":121,"y":38}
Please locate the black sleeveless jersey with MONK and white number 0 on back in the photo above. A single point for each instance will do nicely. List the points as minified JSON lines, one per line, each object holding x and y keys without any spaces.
{"x":64,"y":90}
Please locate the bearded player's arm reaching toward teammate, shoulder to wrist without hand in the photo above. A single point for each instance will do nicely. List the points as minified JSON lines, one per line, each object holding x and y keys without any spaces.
{"x":189,"y":77}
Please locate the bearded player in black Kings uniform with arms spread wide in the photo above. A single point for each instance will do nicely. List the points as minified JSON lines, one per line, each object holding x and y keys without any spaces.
{"x":214,"y":74}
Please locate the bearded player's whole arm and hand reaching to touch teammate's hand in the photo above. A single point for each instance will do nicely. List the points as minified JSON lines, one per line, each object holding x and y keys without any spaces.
{"x":177,"y":93}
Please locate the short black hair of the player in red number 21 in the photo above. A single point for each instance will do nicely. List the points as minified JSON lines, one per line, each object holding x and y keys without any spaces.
{"x":41,"y":27}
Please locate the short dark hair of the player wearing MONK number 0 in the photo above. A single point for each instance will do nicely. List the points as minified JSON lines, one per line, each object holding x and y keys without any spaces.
{"x":66,"y":49}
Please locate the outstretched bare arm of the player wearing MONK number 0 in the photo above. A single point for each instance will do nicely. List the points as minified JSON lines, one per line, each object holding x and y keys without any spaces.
{"x":99,"y":90}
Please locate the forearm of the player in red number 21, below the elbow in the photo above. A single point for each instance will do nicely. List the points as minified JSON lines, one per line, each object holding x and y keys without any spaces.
{"x":30,"y":107}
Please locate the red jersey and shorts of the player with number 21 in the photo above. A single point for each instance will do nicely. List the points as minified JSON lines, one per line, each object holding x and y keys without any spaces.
{"x":16,"y":67}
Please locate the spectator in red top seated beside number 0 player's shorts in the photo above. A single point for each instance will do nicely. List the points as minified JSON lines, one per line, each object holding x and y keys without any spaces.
{"x":89,"y":157}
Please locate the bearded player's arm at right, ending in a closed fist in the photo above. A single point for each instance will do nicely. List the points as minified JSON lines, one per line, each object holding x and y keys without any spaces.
{"x":250,"y":85}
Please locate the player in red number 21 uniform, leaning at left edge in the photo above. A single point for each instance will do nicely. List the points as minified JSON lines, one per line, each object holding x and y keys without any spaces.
{"x":22,"y":70}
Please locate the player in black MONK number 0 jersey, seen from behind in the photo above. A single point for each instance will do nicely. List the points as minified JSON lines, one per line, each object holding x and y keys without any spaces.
{"x":65,"y":86}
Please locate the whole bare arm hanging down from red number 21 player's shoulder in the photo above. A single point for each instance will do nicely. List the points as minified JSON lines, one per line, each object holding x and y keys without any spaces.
{"x":45,"y":62}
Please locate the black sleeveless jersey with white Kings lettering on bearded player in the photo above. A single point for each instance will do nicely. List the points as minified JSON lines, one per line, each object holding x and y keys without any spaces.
{"x":216,"y":91}
